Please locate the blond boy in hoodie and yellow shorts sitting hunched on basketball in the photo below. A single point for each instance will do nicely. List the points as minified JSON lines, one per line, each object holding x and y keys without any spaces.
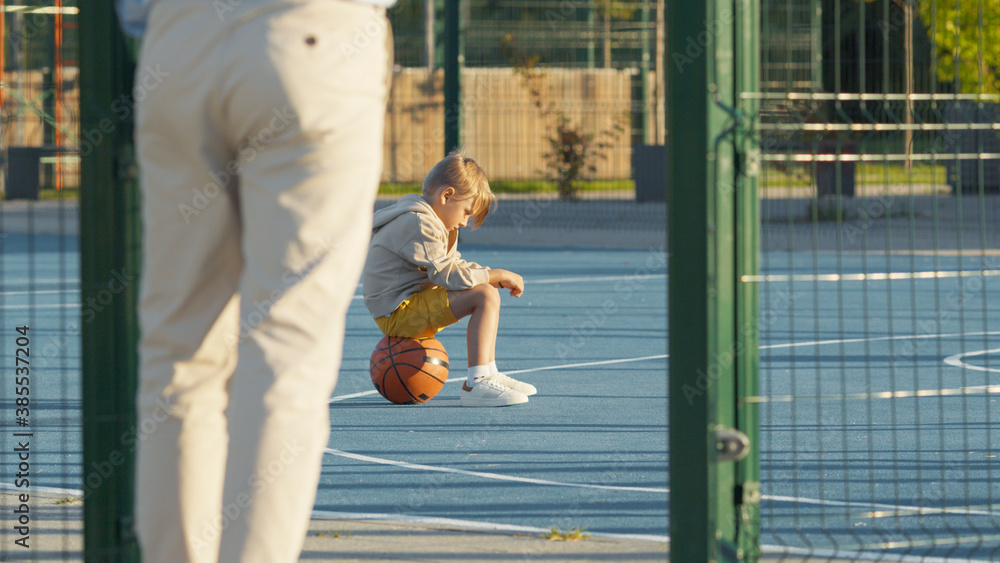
{"x":416,"y":283}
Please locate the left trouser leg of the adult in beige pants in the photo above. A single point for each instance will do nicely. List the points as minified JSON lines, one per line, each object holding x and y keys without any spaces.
{"x":188,"y":305}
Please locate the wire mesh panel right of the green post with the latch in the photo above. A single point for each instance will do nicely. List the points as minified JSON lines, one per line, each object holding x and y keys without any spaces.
{"x":880,"y":234}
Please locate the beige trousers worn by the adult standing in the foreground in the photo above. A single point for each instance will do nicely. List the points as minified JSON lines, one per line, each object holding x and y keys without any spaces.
{"x":260,"y":144}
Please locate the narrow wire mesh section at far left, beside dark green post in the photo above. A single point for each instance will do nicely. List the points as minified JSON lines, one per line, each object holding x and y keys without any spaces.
{"x":39,"y":281}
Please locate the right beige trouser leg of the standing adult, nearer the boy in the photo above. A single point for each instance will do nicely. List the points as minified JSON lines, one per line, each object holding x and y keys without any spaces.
{"x":306,"y":200}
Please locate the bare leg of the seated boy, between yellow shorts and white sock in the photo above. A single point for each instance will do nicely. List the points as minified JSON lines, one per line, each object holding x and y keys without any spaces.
{"x":482,"y":305}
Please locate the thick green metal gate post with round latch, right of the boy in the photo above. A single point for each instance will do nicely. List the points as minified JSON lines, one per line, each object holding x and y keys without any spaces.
{"x":702,"y":301}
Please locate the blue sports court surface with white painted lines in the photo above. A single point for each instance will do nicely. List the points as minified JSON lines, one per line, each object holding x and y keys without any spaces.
{"x":876,"y":415}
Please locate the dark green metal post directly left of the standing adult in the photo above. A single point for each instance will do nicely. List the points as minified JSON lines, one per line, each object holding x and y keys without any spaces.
{"x":108,"y":269}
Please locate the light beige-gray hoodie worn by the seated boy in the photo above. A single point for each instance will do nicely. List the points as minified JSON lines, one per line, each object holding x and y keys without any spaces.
{"x":412,"y":251}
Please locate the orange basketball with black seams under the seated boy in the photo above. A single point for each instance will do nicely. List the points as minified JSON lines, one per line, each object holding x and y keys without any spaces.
{"x":408,"y":371}
